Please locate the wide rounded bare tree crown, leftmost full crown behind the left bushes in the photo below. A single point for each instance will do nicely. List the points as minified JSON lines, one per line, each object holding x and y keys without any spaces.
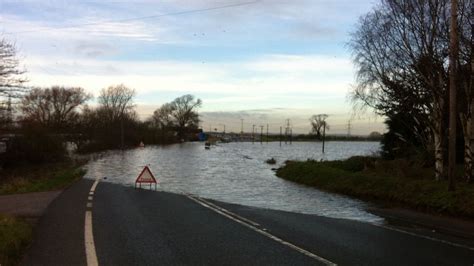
{"x":54,"y":107}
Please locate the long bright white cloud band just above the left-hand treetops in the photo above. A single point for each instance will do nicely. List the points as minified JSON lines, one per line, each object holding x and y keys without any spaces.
{"x":288,"y":74}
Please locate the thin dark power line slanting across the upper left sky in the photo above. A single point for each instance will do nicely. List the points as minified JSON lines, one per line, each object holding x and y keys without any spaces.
{"x":138,"y":18}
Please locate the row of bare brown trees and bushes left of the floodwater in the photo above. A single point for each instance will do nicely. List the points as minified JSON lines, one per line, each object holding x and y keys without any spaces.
{"x":36,"y":123}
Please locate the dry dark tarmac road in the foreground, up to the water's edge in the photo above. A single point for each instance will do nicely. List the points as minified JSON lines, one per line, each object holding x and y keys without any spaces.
{"x":108,"y":224}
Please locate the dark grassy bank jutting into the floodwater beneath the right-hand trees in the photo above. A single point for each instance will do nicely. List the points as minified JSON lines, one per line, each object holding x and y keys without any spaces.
{"x":391,"y":182}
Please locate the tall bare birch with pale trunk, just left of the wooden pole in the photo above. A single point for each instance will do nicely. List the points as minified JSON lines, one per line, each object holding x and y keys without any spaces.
{"x":401,"y":52}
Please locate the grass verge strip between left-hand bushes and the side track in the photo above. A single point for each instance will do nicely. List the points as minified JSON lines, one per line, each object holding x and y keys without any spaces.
{"x":39,"y":178}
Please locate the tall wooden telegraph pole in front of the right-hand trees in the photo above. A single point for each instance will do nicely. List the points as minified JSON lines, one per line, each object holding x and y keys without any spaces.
{"x":453,"y":56}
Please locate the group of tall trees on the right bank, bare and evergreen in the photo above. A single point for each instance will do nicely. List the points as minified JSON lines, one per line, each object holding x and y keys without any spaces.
{"x":401,"y":51}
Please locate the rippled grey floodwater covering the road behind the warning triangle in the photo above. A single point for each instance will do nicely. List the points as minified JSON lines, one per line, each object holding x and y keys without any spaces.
{"x":237,"y":173}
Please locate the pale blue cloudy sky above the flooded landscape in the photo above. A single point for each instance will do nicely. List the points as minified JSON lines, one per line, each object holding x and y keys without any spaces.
{"x":261,"y":61}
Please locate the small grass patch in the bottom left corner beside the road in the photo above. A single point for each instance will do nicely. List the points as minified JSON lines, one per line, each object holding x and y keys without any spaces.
{"x":15,"y":236}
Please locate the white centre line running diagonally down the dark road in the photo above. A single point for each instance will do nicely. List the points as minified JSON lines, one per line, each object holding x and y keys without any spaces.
{"x":236,"y":218}
